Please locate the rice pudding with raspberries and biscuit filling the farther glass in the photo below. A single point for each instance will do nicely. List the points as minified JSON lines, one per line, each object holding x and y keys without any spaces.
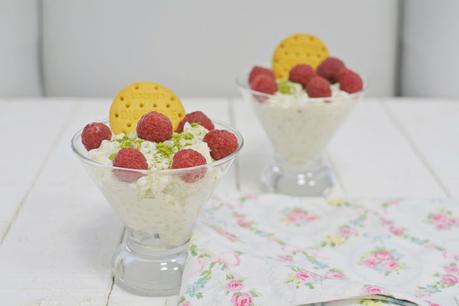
{"x":303,"y":99}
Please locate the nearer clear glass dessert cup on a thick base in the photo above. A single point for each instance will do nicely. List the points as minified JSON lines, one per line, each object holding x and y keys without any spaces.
{"x":158,"y":209}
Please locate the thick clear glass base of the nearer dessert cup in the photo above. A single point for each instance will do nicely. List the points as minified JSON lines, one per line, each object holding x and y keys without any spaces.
{"x":142,"y":268}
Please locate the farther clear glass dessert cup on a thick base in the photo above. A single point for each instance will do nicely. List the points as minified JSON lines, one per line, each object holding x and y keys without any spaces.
{"x":299,"y":129}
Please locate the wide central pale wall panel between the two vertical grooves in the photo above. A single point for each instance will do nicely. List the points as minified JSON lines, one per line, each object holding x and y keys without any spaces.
{"x":198,"y":47}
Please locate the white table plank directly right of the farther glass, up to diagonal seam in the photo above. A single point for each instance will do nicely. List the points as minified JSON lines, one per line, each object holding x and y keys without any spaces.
{"x":373,"y":158}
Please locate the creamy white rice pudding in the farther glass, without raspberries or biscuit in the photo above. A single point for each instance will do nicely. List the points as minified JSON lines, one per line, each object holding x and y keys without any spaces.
{"x":300,"y":127}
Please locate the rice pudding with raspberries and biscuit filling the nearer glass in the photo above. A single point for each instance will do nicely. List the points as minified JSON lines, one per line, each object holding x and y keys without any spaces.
{"x":157,"y":170}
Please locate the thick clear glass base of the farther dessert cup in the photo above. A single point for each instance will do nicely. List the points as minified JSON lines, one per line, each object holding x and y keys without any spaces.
{"x":310,"y":180}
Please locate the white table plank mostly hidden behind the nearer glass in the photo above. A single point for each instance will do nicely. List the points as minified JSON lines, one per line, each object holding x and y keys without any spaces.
{"x":216,"y":109}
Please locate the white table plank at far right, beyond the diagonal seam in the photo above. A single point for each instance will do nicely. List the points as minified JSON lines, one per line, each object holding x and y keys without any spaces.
{"x":432,"y":127}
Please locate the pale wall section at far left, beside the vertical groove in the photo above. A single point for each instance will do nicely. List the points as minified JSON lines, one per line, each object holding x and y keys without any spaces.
{"x":19,"y":57}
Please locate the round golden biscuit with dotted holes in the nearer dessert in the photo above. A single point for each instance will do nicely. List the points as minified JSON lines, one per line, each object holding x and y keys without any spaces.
{"x":137,"y":99}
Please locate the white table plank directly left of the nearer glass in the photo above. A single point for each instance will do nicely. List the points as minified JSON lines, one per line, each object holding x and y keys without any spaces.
{"x":59,"y":248}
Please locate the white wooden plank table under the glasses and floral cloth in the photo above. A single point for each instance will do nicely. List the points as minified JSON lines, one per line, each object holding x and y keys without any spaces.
{"x":57,"y":233}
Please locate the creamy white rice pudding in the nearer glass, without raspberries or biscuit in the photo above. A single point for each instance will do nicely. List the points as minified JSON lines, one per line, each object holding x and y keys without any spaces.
{"x":157,"y":203}
